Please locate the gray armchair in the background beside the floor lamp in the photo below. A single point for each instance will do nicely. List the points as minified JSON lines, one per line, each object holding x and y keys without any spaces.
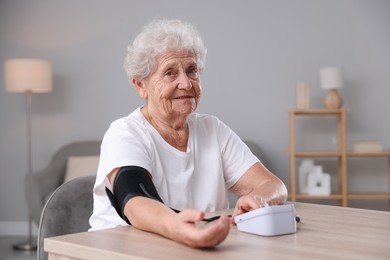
{"x":39,"y":185}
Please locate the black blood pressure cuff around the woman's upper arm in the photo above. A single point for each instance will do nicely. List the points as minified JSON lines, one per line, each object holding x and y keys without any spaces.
{"x":130,"y":182}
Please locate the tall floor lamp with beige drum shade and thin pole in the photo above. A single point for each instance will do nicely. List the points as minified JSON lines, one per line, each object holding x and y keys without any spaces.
{"x":28,"y":76}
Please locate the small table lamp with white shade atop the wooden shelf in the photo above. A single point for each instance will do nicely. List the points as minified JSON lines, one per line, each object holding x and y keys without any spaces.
{"x":332,"y":78}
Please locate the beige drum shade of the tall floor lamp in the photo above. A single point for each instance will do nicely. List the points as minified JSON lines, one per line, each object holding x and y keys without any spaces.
{"x":27,"y":75}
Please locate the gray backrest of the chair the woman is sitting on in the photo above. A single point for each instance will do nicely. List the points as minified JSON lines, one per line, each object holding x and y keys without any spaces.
{"x":67,"y":211}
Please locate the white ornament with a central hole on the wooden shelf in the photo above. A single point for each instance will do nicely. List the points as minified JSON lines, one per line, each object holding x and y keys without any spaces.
{"x":318,"y":182}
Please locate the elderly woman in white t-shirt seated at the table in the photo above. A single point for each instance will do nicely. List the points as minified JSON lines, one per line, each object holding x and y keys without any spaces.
{"x":163,"y":158}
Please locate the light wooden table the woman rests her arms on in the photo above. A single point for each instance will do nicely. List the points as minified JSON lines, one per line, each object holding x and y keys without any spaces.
{"x":325,"y":232}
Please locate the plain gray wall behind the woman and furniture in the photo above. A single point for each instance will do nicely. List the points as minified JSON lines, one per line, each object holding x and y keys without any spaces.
{"x":257,"y":51}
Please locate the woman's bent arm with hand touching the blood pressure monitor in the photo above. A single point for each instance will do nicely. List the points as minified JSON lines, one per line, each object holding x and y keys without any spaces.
{"x":257,"y":188}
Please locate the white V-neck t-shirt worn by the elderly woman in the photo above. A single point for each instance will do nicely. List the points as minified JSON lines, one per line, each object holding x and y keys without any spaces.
{"x":199,"y":178}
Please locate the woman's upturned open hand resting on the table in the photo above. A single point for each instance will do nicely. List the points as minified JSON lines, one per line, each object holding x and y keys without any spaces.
{"x":184,"y":229}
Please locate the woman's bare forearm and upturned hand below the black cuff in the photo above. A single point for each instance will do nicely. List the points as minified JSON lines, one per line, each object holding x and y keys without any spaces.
{"x":184,"y":227}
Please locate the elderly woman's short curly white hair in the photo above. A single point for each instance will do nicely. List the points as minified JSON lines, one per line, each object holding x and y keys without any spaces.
{"x":158,"y":37}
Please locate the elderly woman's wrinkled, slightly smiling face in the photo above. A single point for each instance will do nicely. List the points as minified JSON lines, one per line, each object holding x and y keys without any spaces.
{"x":174,"y":86}
